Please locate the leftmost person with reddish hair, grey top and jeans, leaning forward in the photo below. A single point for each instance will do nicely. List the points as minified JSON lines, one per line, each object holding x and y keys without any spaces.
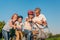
{"x":8,"y":26}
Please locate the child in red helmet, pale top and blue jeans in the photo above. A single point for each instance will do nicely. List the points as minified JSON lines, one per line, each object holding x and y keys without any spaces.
{"x":27,"y":24}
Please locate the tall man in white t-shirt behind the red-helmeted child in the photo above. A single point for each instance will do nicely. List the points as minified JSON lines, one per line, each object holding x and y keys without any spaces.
{"x":40,"y":20}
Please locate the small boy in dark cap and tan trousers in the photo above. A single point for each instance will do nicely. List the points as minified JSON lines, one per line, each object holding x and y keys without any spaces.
{"x":19,"y":25}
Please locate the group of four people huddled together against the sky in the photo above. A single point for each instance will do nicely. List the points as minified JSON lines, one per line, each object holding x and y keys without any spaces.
{"x":34,"y":23}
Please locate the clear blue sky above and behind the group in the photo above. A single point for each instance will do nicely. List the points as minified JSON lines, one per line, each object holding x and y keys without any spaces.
{"x":50,"y":8}
